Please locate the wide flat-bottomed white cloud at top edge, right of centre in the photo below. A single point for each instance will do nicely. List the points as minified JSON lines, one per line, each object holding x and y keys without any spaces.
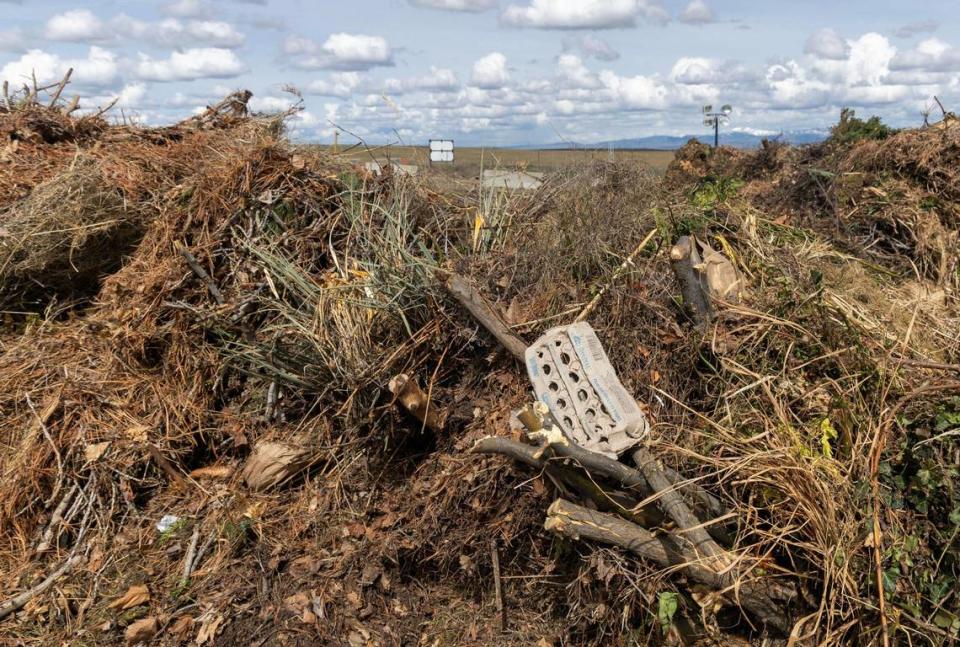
{"x":583,"y":14}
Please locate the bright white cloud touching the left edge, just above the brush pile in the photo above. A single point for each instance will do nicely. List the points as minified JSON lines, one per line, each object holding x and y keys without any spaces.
{"x":98,"y":69}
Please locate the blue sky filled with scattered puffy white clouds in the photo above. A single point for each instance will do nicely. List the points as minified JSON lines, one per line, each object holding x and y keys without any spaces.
{"x":497,"y":72}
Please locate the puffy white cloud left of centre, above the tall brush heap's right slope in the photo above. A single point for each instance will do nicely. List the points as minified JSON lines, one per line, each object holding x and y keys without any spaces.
{"x":340,"y":52}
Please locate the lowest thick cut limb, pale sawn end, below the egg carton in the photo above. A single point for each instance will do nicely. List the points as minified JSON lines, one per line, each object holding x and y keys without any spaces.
{"x":756,"y":597}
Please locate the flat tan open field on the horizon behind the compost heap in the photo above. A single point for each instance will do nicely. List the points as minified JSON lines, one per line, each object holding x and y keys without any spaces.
{"x":469,"y":160}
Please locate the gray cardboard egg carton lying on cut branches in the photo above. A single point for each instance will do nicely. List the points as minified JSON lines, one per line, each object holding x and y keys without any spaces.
{"x":572,"y":375}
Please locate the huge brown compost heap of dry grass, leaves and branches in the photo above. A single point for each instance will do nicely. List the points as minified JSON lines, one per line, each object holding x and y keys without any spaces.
{"x":251,"y":394}
